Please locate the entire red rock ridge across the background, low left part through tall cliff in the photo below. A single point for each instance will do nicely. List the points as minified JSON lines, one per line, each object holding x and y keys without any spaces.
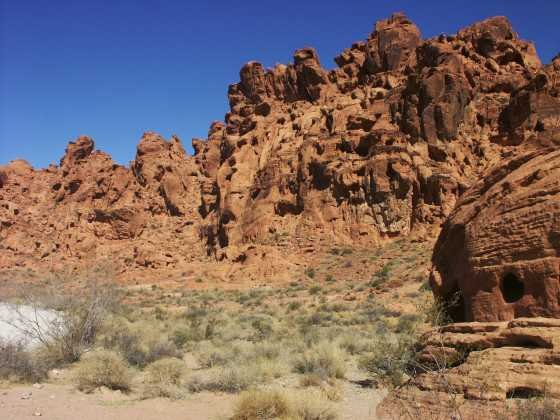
{"x":381,"y":146}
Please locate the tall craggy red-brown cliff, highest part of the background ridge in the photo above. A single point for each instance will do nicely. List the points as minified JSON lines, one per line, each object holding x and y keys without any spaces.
{"x":376,"y":148}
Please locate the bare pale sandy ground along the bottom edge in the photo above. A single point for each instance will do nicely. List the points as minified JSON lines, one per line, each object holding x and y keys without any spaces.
{"x":63,"y":402}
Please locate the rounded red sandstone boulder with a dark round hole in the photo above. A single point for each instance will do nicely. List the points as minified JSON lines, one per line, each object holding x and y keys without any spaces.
{"x":500,"y":248}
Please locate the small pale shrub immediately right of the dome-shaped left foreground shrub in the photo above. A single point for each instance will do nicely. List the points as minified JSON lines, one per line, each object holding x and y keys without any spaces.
{"x":164,"y":378}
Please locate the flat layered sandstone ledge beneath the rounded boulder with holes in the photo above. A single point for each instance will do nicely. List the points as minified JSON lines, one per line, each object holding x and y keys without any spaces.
{"x":472,"y":368}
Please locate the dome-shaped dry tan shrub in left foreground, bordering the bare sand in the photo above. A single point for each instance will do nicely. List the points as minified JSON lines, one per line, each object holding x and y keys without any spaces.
{"x":102,"y":368}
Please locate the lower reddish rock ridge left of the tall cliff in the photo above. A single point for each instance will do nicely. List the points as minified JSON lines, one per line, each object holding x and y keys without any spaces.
{"x":90,"y":209}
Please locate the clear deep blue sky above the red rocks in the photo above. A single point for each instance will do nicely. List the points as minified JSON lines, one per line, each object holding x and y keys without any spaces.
{"x":113,"y":69}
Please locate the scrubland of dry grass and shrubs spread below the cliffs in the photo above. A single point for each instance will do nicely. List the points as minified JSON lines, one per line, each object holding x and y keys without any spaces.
{"x":311,"y":335}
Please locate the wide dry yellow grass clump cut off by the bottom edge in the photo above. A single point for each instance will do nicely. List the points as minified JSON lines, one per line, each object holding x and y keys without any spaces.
{"x":283,"y":405}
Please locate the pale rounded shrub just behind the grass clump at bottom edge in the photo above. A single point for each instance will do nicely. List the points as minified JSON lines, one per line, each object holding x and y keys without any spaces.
{"x":323,"y":359}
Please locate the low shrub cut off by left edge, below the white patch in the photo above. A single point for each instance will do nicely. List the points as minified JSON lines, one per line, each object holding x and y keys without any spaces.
{"x":19,"y":364}
